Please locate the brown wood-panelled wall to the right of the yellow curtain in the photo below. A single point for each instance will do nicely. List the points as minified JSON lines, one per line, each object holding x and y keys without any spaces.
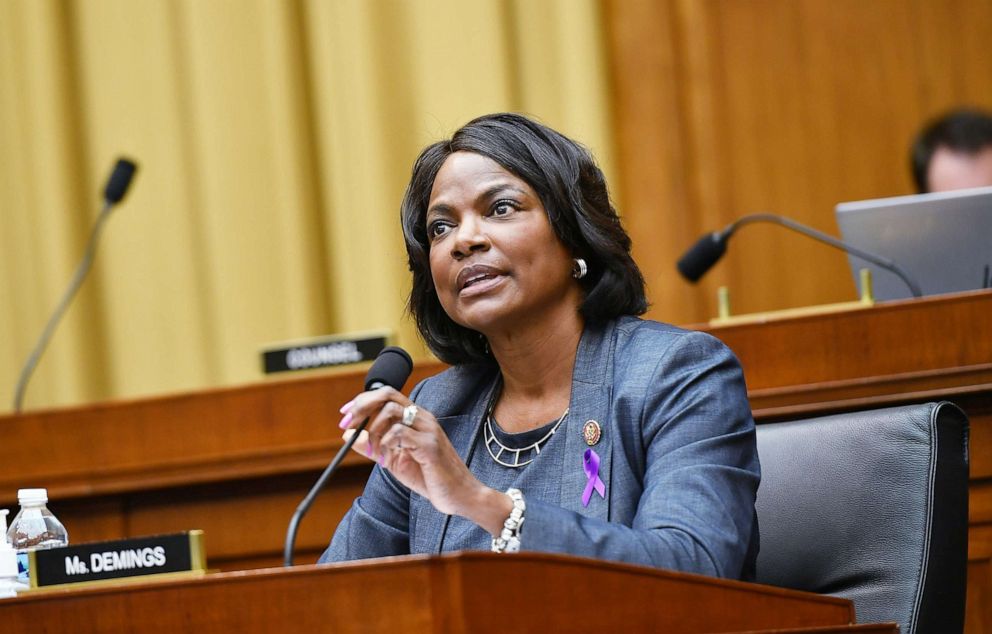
{"x":788,"y":106}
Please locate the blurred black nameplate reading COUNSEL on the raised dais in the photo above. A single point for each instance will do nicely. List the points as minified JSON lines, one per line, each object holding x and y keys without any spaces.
{"x":323,"y":352}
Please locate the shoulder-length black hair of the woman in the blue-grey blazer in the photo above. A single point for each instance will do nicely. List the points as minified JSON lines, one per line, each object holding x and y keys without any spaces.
{"x":573,"y":191}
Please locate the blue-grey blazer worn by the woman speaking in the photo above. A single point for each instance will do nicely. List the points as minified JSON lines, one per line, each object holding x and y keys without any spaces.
{"x":677,"y":453}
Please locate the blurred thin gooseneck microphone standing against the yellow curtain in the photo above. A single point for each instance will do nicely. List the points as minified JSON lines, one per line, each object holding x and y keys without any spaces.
{"x":113,"y":193}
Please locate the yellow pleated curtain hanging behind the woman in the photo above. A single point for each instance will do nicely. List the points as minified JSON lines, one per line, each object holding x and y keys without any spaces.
{"x":274,"y":139}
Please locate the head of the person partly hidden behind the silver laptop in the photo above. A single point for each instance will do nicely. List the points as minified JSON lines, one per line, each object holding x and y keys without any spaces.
{"x":953,"y":151}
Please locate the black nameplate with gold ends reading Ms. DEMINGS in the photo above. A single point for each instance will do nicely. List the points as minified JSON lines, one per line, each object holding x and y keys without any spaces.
{"x":117,"y":559}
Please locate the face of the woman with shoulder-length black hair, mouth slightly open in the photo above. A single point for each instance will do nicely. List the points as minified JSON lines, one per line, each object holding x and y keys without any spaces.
{"x":494,"y":257}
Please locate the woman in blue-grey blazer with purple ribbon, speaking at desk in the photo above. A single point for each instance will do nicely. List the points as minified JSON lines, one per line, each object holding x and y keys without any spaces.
{"x":566,"y":424}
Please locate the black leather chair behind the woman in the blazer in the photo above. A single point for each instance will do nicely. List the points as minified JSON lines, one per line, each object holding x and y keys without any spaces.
{"x":873,"y":507}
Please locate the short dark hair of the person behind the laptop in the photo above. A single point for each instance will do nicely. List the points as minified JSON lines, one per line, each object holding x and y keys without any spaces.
{"x":964,"y":130}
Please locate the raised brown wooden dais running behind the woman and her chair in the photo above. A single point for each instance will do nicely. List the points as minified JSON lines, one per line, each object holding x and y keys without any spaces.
{"x":235,"y":462}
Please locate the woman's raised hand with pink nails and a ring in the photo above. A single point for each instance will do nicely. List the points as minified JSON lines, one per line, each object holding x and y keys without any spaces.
{"x":421,"y":457}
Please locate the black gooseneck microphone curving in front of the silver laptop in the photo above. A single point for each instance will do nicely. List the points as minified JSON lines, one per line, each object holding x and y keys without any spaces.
{"x":708,"y":250}
